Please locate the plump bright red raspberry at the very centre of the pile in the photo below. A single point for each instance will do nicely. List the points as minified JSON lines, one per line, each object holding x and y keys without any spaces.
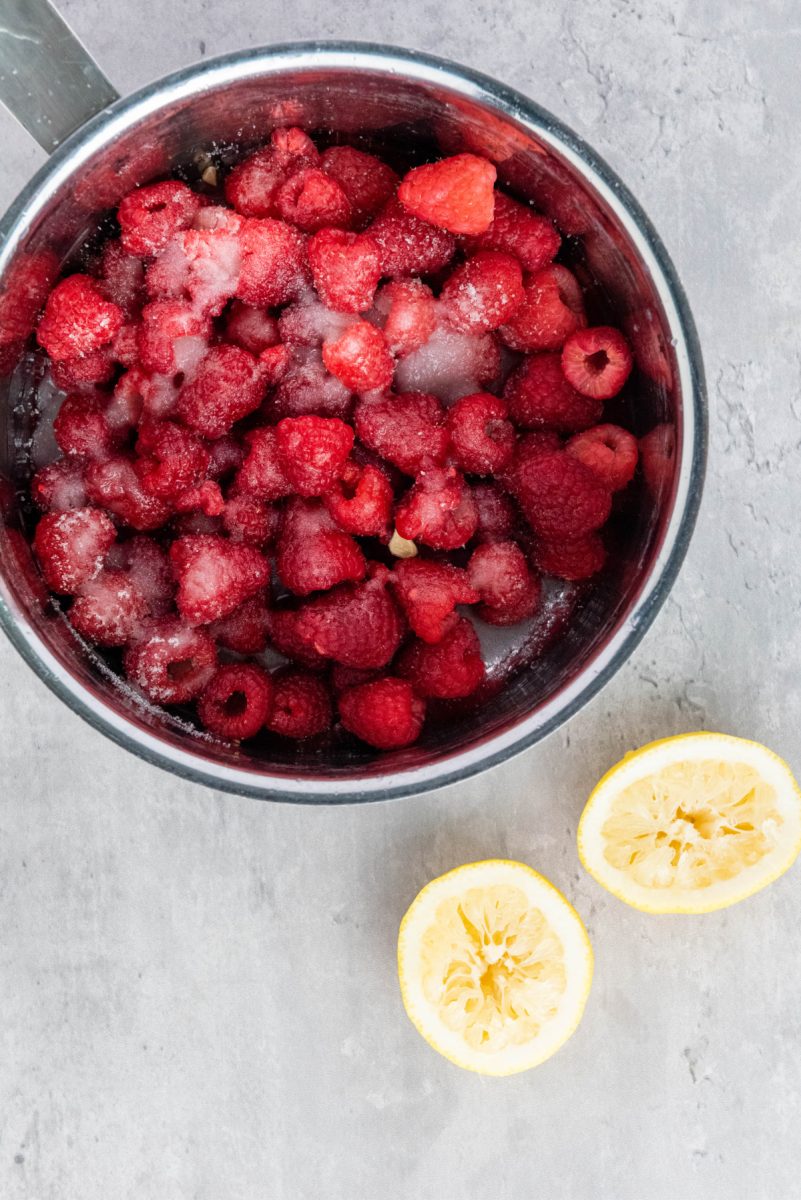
{"x":312,"y":452}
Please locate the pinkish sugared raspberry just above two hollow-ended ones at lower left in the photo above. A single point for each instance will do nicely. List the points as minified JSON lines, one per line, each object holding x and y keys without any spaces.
{"x":215,"y":577}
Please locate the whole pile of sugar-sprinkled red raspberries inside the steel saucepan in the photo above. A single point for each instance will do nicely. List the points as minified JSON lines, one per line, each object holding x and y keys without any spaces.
{"x":318,"y":418}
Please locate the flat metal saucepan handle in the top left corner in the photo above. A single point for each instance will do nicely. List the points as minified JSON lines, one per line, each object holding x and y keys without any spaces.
{"x":47,"y":80}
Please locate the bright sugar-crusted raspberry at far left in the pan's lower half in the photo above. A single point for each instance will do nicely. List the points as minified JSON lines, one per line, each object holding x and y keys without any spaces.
{"x":71,"y":548}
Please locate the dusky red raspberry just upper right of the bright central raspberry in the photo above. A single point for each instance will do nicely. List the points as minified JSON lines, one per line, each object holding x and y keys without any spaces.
{"x":408,"y":430}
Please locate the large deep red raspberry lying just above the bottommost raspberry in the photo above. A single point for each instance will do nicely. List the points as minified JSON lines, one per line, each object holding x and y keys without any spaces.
{"x":357,"y":625}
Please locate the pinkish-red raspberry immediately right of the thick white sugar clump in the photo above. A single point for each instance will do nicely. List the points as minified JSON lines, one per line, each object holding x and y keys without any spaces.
{"x":275,"y":267}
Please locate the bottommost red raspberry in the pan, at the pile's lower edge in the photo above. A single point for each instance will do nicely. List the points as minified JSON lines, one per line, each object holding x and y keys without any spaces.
{"x":386,"y":713}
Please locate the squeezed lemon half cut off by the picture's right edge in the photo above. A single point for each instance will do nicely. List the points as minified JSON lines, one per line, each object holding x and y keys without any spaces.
{"x":692,"y":824}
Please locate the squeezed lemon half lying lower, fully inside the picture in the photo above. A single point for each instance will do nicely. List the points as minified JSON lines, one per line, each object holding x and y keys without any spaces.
{"x":495,"y":967}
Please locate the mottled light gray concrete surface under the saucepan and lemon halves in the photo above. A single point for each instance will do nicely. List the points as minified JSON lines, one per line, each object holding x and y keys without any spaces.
{"x":198,"y":995}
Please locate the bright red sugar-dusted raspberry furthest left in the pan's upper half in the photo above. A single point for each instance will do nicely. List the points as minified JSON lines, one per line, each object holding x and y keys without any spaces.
{"x":79,"y":320}
